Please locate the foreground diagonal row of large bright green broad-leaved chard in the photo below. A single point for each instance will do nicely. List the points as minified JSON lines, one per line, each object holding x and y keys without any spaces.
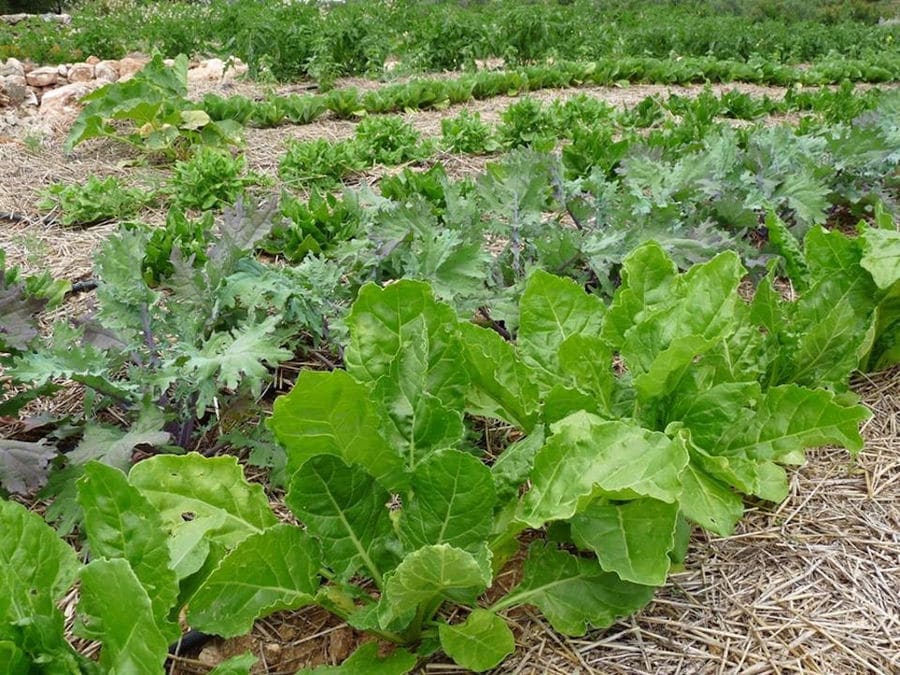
{"x":634,"y":421}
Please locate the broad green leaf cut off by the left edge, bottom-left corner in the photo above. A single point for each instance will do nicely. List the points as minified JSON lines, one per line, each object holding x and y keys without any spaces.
{"x":36,"y":566}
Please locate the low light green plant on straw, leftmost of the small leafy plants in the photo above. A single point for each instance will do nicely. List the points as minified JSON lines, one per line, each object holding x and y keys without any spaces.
{"x":94,"y":201}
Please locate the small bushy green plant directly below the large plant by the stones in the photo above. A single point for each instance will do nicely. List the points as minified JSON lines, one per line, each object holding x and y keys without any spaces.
{"x":210,"y":179}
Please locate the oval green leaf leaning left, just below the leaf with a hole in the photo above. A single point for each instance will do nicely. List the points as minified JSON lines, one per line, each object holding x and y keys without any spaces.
{"x":267,"y":572}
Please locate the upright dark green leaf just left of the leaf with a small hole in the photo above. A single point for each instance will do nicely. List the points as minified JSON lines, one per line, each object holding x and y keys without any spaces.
{"x":121,"y":523}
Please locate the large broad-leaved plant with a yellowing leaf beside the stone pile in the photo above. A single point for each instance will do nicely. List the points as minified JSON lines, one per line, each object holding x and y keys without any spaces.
{"x":151,"y":112}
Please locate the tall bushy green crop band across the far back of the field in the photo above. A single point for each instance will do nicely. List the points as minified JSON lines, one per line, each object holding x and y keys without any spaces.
{"x":292,"y":40}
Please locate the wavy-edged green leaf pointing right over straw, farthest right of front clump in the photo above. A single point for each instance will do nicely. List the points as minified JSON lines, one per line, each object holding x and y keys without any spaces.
{"x":791,"y":418}
